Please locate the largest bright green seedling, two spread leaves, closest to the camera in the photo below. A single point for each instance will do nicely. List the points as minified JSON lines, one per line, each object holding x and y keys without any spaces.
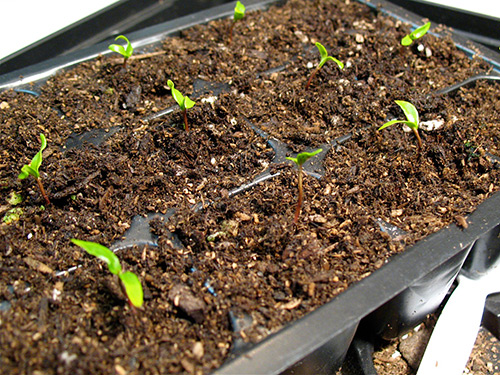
{"x":129,"y":282}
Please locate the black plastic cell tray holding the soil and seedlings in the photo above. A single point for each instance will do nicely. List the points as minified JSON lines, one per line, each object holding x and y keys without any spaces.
{"x":385,"y":304}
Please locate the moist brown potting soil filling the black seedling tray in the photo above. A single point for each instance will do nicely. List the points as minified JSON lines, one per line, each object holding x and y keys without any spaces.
{"x":112,"y":157}
